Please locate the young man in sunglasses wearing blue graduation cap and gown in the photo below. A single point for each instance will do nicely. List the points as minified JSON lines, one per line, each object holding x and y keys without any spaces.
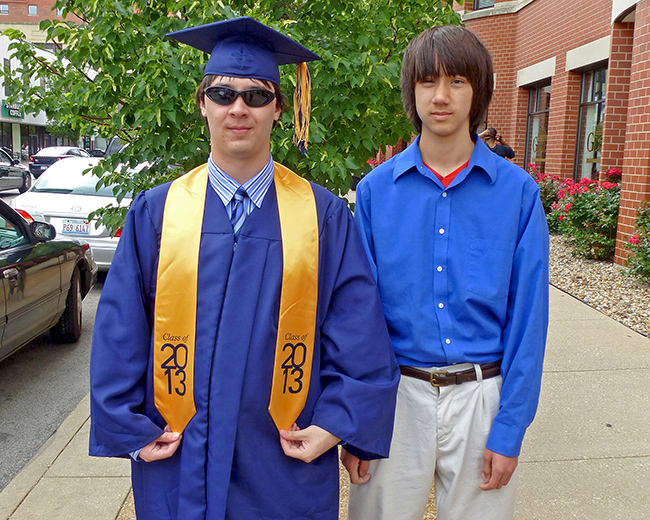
{"x":240,"y":337}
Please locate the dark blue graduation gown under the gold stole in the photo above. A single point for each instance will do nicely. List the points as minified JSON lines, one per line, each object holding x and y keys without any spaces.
{"x":230,"y":463}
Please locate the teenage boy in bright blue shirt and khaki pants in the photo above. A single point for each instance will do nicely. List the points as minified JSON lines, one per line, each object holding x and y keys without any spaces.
{"x":458,"y":242}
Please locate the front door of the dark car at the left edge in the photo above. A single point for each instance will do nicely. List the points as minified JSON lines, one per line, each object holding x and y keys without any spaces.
{"x":31,"y":282}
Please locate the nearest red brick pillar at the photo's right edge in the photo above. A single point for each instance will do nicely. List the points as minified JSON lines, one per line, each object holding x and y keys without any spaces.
{"x":635,"y":185}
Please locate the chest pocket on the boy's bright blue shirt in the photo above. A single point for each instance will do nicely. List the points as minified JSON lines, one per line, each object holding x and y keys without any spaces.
{"x":490,"y":268}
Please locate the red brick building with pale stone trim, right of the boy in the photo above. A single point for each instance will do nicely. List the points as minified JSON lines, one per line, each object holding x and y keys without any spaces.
{"x":572,"y":88}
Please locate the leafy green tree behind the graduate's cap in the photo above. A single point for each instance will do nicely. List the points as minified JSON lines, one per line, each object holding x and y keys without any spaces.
{"x":117,"y":74}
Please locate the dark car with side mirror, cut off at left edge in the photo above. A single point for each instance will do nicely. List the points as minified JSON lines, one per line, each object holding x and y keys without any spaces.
{"x":43,"y":282}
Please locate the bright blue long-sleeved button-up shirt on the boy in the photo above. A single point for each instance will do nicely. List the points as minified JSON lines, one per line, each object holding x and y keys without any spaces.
{"x":463,"y":272}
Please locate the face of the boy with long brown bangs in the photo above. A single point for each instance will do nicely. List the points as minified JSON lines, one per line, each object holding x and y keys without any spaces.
{"x":444,"y":104}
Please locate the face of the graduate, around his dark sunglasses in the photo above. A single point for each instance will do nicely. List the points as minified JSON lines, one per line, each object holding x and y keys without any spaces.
{"x":238,"y":132}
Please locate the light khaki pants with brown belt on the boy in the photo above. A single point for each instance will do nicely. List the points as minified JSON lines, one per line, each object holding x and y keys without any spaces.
{"x":439,"y":433}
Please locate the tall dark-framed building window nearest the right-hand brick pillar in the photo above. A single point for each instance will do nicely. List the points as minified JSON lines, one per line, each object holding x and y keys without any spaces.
{"x":590,"y":124}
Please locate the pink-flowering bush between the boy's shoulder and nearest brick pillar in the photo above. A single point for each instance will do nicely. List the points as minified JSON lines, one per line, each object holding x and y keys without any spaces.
{"x":587,"y":212}
